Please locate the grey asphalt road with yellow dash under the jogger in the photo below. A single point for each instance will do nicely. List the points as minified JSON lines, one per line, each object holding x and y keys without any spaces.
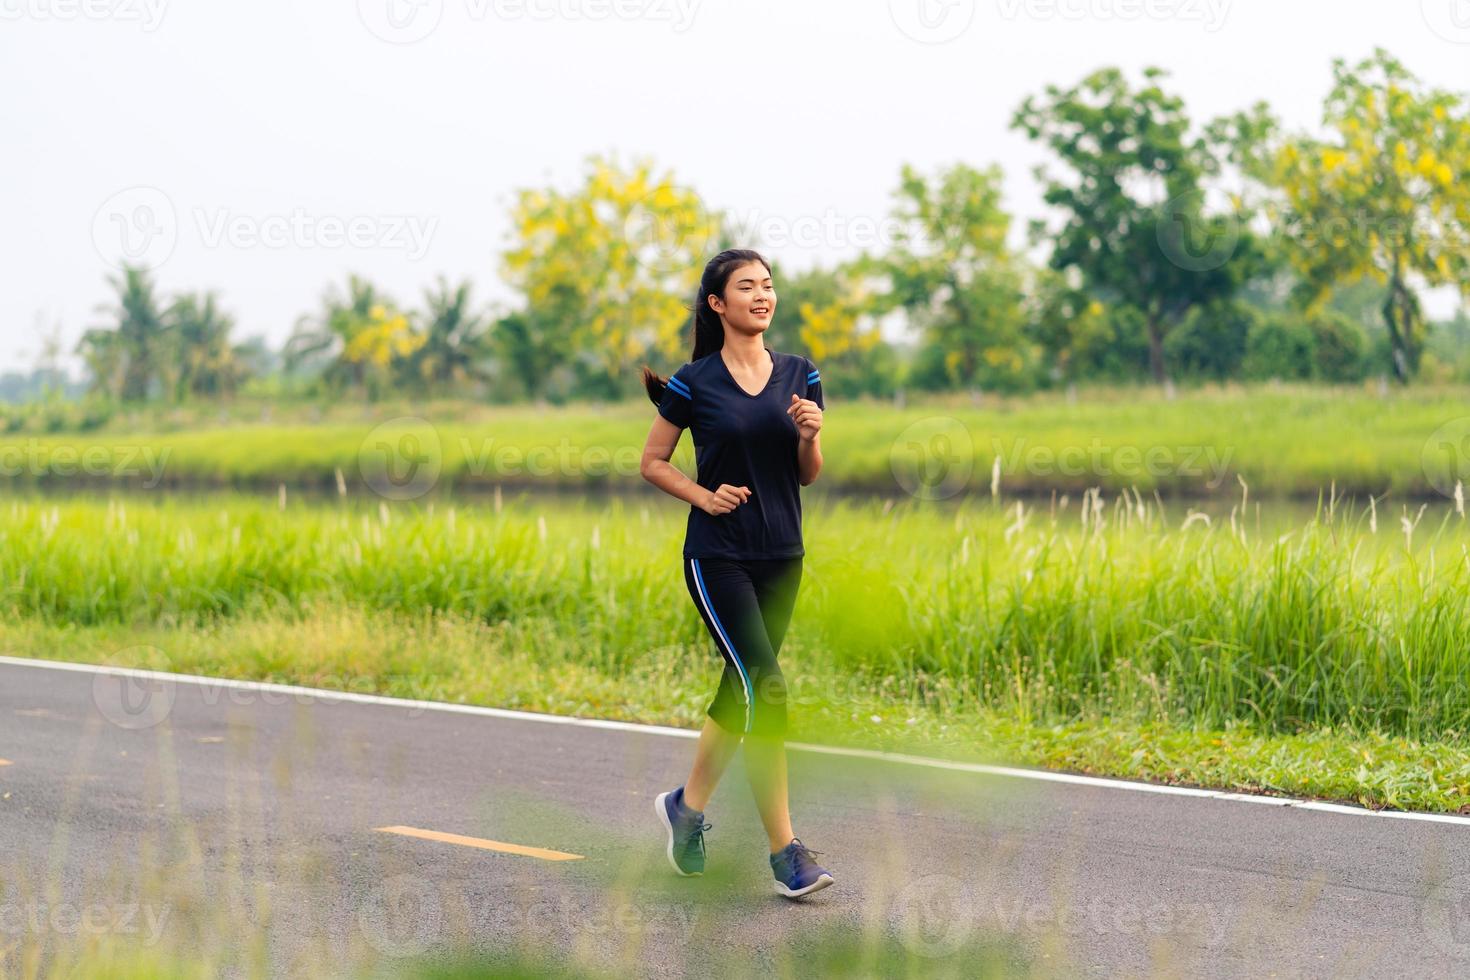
{"x":251,"y":825}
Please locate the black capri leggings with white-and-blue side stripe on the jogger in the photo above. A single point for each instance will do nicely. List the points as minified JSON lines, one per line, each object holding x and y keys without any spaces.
{"x":747,"y":605}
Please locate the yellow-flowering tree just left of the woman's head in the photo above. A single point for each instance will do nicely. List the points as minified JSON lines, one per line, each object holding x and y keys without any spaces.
{"x":608,"y":271}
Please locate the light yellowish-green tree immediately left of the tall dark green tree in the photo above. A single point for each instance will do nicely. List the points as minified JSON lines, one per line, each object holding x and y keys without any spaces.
{"x":953,"y":274}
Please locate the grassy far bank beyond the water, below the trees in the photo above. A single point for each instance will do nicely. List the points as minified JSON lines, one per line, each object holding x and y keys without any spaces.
{"x":1281,"y":440}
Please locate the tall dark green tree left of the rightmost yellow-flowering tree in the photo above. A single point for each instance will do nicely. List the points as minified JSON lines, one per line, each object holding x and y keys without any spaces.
{"x":1136,"y":220}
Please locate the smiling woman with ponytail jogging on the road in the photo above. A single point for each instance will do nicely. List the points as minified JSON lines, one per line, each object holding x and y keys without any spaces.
{"x":756,"y":417}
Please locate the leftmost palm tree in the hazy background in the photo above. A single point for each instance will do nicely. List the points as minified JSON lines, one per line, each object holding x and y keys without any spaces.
{"x":126,"y":355}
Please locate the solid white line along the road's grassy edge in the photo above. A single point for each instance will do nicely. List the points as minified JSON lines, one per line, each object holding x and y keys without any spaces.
{"x":1075,"y":779}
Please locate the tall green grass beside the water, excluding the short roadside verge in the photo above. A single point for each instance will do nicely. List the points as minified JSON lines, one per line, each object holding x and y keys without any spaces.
{"x":1049,"y":615}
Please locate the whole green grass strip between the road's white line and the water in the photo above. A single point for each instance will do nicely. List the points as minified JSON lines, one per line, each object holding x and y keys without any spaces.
{"x":1313,"y":656}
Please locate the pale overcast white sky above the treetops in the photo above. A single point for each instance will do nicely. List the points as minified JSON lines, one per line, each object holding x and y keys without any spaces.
{"x":268,"y":149}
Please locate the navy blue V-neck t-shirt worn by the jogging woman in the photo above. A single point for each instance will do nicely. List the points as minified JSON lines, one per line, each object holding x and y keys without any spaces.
{"x":745,"y":440}
